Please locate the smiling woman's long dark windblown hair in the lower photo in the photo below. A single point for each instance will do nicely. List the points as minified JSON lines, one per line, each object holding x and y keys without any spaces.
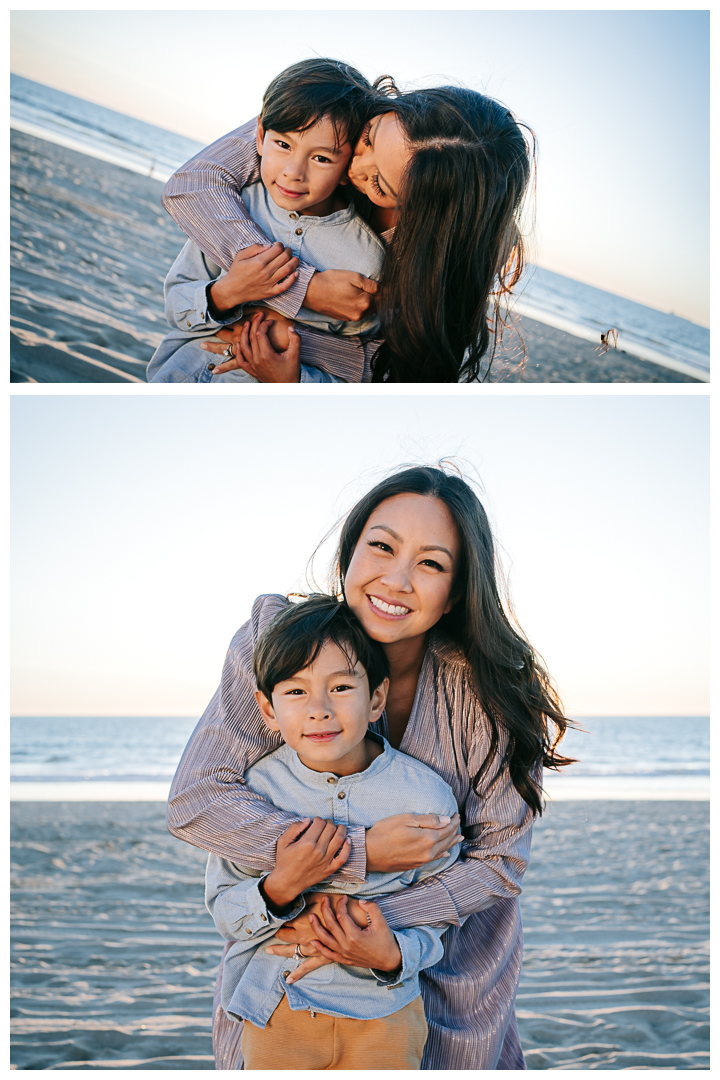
{"x":510,"y":680}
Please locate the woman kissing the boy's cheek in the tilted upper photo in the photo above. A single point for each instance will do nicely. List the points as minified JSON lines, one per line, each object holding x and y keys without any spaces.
{"x":445,"y":172}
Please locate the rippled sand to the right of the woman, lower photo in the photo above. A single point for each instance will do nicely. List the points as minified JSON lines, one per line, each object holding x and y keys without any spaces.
{"x":616,"y":912}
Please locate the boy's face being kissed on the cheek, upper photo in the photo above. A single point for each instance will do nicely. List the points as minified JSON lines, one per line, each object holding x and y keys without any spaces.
{"x":302,"y":170}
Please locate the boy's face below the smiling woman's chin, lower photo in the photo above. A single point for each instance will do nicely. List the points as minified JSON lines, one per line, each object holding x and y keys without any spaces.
{"x":323,"y":713}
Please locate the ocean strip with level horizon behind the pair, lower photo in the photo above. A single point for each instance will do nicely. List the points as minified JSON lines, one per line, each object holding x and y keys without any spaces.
{"x":643,"y":758}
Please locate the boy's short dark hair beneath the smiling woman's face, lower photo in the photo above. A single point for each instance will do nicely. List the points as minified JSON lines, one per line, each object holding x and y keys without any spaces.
{"x":296,"y":637}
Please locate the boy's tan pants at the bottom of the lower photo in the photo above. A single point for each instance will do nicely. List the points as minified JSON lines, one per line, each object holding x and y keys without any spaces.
{"x":297,"y":1041}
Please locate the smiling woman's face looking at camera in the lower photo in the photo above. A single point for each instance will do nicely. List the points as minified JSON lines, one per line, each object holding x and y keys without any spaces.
{"x":400,"y":579}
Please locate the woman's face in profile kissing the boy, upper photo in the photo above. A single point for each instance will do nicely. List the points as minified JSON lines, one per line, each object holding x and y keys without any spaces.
{"x":379,"y":161}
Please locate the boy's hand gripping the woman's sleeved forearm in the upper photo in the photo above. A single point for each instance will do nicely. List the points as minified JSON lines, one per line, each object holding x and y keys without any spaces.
{"x":257,"y":274}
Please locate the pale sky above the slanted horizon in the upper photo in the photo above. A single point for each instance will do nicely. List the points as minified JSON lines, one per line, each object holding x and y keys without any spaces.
{"x":619,"y":101}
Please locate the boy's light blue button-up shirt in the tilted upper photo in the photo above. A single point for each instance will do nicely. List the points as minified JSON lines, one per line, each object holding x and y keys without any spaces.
{"x":341,"y":241}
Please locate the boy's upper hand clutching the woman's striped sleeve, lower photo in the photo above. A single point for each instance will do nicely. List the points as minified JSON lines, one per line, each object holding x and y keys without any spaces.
{"x":308,"y":853}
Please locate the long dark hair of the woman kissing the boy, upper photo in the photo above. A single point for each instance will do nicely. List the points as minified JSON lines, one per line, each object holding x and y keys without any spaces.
{"x":458,"y":249}
